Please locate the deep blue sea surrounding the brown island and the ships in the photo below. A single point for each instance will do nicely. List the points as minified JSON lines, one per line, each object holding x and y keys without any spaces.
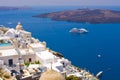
{"x":81,"y":50}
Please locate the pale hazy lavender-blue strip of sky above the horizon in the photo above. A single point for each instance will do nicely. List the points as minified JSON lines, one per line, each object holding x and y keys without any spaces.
{"x":59,"y":2}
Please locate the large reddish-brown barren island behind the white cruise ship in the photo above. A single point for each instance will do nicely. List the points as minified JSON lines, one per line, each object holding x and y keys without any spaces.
{"x":85,"y":15}
